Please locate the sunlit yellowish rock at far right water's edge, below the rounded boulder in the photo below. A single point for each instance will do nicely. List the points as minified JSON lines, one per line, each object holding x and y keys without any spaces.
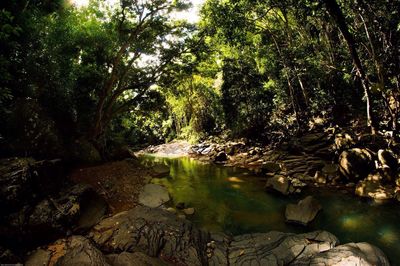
{"x":374,"y":189}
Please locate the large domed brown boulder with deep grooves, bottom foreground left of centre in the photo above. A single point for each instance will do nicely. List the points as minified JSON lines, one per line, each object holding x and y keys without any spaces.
{"x":154,"y":232}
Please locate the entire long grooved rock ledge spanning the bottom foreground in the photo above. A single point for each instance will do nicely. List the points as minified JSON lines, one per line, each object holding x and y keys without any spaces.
{"x":158,"y":233}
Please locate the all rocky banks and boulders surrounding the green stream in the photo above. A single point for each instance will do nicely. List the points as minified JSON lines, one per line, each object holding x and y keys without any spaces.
{"x":49,"y":220}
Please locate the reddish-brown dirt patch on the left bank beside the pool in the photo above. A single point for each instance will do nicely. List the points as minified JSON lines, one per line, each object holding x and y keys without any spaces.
{"x":118,"y":182}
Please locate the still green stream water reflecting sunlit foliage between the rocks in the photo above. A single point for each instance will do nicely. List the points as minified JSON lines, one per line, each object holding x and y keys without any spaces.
{"x":233,"y":200}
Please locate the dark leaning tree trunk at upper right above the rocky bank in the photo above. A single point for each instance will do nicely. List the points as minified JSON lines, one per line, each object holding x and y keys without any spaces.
{"x":337,"y":15}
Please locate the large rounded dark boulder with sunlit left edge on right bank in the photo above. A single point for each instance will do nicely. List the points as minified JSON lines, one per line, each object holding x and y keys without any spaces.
{"x":356,"y":164}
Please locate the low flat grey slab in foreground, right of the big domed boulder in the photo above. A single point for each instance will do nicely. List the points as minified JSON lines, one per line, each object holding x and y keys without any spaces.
{"x":276,"y":248}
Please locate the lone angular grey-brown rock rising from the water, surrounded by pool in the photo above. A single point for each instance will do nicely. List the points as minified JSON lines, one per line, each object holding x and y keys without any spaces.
{"x":303,"y":212}
